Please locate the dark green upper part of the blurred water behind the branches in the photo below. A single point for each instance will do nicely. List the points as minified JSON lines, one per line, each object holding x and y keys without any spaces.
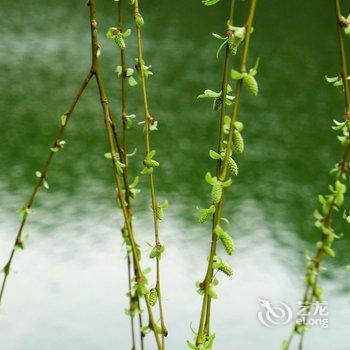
{"x":290,"y":147}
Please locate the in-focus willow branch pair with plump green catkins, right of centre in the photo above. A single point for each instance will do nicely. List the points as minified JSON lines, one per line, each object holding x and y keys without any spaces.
{"x":234,"y":36}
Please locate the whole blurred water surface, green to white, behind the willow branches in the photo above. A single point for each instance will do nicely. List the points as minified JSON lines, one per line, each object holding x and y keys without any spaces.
{"x":68,"y":291}
